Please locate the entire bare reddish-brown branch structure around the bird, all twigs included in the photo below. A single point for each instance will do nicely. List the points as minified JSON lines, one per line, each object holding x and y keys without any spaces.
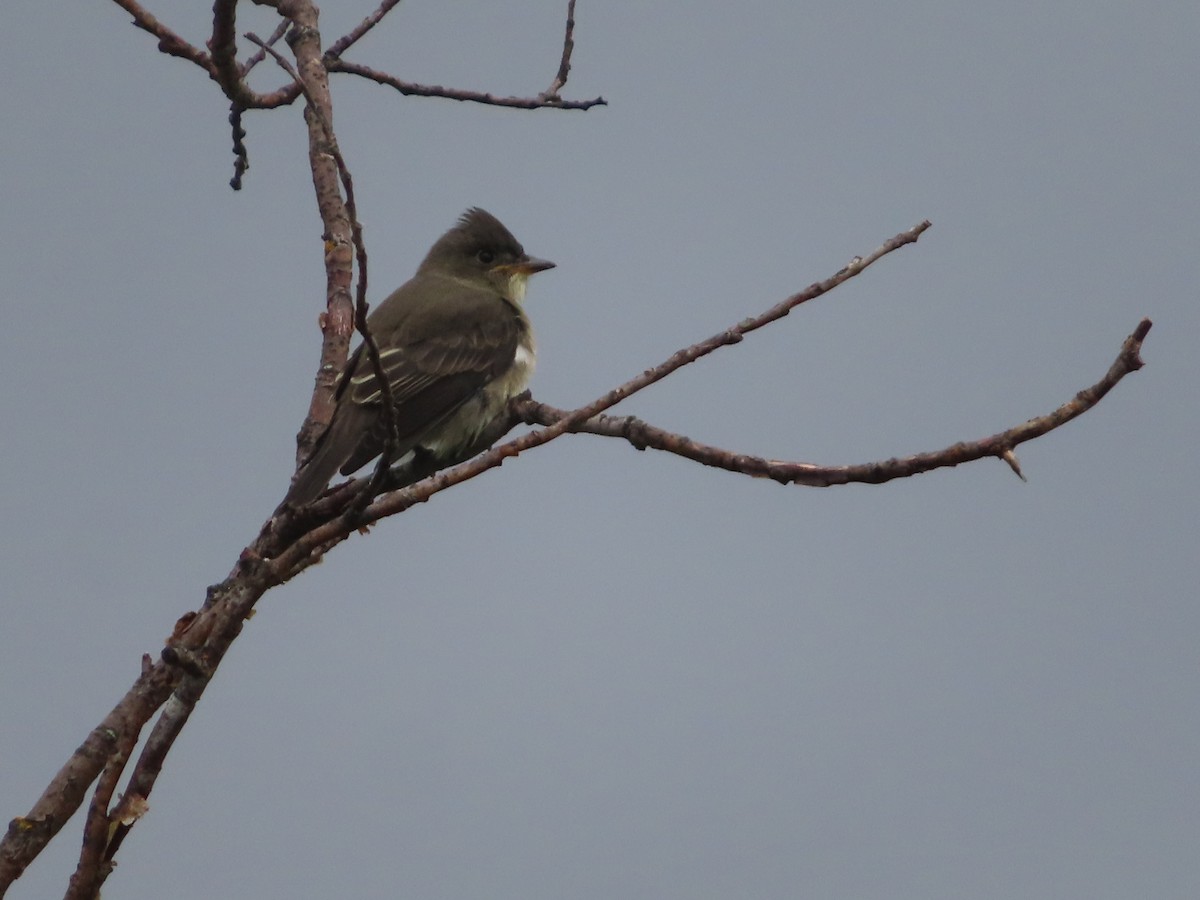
{"x":295,"y":539}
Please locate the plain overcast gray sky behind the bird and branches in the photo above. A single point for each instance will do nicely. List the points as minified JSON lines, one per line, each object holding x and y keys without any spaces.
{"x":598,"y":674}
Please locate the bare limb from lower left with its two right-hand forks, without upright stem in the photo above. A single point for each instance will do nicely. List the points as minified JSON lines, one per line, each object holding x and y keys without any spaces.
{"x":296,"y":539}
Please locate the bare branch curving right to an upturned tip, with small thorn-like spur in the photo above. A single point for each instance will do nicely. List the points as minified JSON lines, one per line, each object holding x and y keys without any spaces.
{"x":644,"y":437}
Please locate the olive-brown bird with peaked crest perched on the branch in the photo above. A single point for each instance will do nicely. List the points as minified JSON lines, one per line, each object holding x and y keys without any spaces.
{"x":455,"y":346}
